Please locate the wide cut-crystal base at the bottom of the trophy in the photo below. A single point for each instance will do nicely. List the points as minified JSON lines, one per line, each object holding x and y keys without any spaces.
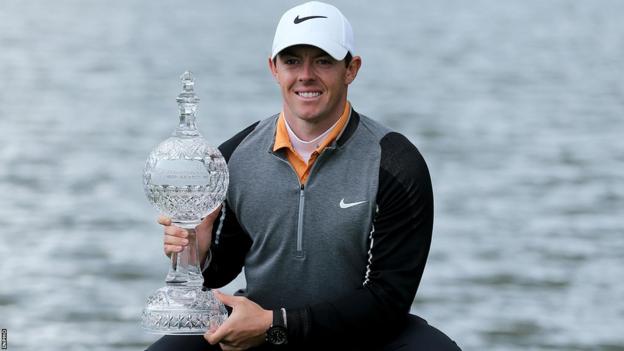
{"x":186,"y":310}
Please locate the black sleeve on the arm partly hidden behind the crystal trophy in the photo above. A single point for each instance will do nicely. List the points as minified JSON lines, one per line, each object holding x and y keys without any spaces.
{"x":230,"y":242}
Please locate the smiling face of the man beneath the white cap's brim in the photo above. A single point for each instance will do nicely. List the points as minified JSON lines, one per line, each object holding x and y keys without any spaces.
{"x":313,"y":84}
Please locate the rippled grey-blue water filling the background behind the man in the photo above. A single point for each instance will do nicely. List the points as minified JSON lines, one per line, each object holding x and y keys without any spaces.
{"x":517,"y":107}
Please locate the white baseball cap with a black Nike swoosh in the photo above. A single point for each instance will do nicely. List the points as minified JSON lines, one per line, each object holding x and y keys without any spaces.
{"x":315,"y":23}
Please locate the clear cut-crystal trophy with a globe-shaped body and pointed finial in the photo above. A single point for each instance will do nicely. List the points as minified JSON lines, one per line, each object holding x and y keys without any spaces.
{"x":185,"y":179}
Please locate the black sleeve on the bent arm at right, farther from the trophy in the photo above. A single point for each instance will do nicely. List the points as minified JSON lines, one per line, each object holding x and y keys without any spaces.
{"x":401,"y":237}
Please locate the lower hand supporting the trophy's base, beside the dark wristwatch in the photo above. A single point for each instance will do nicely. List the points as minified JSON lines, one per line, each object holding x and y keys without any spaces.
{"x":245,"y":327}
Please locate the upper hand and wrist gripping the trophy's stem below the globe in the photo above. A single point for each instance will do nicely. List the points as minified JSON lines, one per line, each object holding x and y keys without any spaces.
{"x":176,"y":238}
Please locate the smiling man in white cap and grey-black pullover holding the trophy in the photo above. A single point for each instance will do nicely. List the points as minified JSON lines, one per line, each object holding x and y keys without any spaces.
{"x":329,"y":213}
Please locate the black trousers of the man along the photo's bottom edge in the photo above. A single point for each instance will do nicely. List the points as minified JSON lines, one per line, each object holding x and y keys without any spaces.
{"x":417,"y":335}
